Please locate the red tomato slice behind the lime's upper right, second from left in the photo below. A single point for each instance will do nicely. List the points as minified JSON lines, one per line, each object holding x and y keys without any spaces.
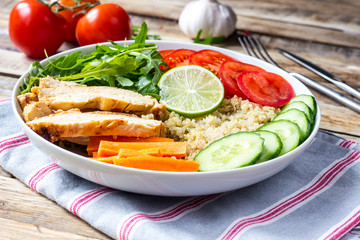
{"x":210,"y":59}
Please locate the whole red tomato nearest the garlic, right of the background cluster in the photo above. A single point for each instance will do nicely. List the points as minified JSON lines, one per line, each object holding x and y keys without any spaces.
{"x":102,"y":23}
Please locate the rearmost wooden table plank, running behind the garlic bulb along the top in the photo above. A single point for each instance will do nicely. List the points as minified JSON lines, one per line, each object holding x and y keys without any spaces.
{"x":287,"y":18}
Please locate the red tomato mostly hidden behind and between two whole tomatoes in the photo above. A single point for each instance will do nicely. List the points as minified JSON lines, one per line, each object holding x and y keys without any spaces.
{"x":72,"y":17}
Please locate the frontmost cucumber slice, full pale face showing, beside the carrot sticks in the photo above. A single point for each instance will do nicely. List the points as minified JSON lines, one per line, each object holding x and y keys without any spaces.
{"x":232,"y":151}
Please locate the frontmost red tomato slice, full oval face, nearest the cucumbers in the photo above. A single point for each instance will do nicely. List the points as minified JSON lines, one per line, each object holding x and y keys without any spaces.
{"x":266,"y":88}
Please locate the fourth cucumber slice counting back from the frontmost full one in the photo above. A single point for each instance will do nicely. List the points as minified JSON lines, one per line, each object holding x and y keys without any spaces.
{"x":299,"y":118}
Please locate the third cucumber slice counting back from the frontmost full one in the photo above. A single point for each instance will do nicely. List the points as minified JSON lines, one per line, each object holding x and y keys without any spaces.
{"x":288,"y":132}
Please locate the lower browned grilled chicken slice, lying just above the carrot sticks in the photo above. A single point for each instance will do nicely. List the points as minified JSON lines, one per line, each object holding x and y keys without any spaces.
{"x":74,"y":123}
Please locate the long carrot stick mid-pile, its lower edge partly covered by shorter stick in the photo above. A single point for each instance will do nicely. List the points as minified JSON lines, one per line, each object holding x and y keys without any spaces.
{"x":167,"y":149}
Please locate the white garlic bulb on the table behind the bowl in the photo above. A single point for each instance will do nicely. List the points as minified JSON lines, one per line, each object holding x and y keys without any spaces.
{"x":213,"y":18}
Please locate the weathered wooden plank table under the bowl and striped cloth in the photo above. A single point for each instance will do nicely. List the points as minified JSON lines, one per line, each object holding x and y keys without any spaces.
{"x":326,"y":32}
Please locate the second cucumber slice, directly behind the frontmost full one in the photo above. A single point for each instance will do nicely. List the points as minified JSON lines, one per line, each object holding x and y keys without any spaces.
{"x":272,"y":146}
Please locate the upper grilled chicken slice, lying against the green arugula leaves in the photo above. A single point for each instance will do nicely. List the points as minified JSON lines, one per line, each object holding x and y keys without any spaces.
{"x":61,"y":95}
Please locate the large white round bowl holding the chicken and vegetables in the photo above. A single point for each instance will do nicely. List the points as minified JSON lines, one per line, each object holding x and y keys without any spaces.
{"x":168,"y":183}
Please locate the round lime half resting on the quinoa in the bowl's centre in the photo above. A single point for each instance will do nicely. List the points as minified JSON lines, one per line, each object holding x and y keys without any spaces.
{"x":191,"y":91}
